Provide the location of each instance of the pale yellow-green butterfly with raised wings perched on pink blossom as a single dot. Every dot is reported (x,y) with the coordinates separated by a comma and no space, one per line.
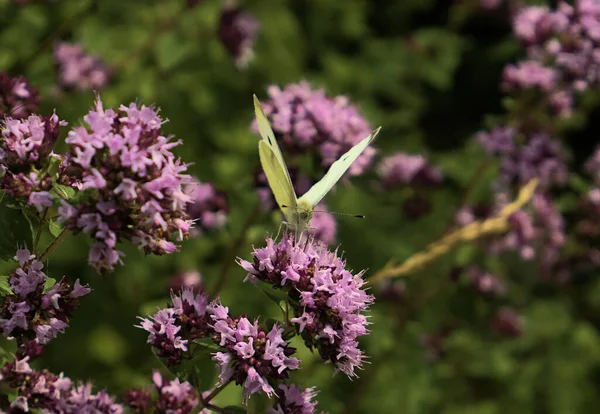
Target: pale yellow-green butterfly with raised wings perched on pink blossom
(298,211)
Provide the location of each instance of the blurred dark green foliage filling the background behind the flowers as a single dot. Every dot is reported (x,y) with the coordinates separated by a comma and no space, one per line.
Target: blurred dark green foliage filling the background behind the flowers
(428,72)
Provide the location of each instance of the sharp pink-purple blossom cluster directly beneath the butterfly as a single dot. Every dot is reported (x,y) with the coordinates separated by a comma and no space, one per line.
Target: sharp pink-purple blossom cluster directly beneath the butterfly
(327,300)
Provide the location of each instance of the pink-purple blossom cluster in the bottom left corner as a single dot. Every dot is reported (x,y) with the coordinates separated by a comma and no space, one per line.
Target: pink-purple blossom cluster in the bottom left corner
(52,393)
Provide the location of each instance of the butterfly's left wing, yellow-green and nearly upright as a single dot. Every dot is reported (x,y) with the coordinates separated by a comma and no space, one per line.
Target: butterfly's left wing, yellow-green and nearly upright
(273,164)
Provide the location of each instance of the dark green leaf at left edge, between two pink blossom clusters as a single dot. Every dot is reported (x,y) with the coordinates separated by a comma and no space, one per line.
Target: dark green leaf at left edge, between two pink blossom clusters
(15,231)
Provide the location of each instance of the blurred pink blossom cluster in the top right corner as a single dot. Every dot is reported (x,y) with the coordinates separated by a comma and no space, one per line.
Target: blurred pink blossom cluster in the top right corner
(563,49)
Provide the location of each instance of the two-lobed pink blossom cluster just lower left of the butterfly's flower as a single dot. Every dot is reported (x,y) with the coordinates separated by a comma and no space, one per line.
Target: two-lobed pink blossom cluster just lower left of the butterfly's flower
(249,355)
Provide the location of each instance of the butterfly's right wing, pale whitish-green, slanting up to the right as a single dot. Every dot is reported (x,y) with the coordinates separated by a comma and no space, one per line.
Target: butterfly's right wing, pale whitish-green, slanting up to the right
(316,193)
